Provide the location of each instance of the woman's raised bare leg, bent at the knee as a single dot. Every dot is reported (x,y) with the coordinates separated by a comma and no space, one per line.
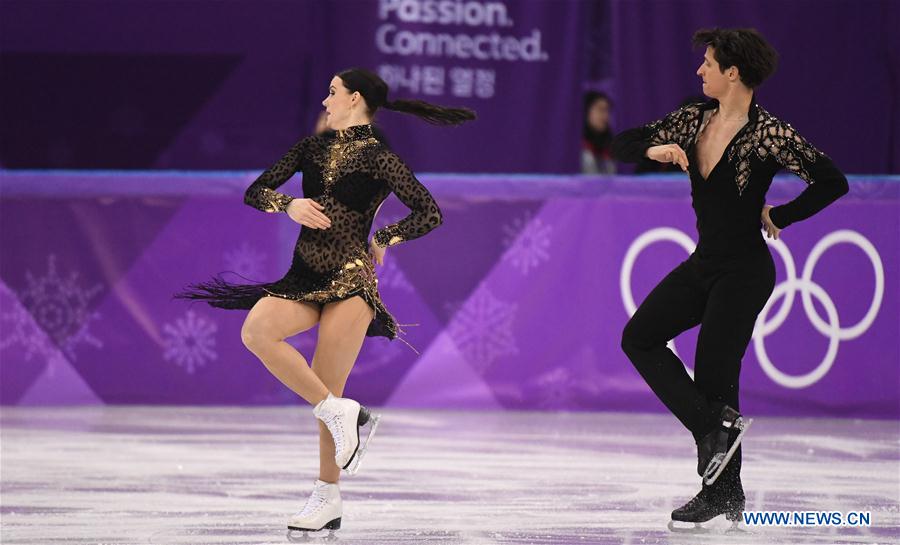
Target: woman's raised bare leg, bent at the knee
(269,323)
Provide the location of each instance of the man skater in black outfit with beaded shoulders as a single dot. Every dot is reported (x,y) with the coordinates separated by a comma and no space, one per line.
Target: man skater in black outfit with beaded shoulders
(731,148)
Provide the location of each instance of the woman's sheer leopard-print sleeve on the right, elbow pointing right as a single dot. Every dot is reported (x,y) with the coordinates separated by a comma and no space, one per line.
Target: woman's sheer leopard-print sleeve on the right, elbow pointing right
(425,214)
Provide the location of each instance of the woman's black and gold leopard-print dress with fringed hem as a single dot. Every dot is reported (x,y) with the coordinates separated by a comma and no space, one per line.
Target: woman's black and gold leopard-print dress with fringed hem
(350,174)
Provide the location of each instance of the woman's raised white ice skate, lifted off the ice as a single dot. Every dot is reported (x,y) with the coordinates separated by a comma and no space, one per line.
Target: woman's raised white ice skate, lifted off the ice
(344,417)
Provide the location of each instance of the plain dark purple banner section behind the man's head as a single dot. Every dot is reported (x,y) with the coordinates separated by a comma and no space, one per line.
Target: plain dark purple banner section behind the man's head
(655,67)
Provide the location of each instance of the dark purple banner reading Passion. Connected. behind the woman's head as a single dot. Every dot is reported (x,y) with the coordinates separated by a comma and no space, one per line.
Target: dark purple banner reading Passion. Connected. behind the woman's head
(212,85)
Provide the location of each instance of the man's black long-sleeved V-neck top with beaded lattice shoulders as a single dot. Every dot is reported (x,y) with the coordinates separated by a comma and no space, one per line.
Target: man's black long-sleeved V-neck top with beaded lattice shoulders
(728,202)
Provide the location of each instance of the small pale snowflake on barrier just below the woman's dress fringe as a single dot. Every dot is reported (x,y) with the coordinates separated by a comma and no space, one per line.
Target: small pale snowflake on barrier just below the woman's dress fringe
(190,342)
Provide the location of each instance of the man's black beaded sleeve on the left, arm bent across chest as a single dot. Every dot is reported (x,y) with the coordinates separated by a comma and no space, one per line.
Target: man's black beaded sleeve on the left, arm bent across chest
(676,128)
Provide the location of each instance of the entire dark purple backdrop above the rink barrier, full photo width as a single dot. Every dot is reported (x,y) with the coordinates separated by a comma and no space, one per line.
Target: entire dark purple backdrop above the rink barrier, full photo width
(205,84)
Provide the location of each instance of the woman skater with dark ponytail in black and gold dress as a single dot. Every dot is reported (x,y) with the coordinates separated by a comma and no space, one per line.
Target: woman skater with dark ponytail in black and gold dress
(331,281)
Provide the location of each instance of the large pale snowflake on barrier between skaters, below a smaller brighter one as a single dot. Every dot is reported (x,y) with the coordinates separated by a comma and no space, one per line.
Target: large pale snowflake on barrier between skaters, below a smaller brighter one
(482,329)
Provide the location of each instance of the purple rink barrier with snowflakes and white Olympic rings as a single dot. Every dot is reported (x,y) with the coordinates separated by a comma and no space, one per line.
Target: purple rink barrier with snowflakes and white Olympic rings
(520,297)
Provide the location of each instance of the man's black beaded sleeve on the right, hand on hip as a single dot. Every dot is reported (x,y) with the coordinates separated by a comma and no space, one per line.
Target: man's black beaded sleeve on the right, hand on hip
(825,182)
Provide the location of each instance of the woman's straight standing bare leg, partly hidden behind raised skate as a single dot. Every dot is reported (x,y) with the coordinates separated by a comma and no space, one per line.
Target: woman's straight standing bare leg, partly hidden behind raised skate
(342,329)
